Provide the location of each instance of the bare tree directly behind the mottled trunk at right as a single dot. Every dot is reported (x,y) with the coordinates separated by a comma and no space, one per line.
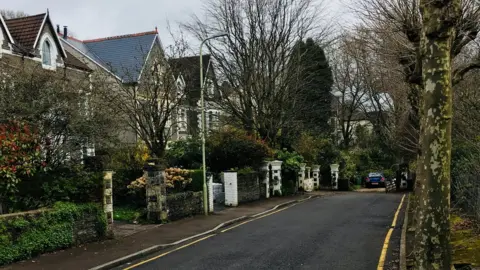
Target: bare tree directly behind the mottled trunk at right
(397,26)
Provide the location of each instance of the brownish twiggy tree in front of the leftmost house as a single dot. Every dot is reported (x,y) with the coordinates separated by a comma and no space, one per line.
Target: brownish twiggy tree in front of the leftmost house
(59,104)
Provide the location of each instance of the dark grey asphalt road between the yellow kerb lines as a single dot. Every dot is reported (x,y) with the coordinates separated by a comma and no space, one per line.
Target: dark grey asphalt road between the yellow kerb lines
(338,232)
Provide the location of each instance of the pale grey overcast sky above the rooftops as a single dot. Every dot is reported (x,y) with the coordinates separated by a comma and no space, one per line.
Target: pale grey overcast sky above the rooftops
(100,18)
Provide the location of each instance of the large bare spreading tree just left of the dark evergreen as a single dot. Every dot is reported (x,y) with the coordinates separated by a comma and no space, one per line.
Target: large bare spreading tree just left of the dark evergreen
(255,59)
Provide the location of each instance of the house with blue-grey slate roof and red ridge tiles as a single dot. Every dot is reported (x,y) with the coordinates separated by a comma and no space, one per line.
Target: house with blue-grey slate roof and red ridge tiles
(129,60)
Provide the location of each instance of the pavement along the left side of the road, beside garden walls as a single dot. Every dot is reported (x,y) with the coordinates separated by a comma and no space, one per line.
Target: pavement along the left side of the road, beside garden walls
(94,254)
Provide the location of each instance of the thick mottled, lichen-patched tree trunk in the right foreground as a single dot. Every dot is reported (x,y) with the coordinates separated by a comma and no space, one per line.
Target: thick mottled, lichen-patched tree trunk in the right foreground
(432,237)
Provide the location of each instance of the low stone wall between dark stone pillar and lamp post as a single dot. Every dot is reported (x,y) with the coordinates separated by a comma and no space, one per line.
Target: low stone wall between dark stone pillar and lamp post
(185,204)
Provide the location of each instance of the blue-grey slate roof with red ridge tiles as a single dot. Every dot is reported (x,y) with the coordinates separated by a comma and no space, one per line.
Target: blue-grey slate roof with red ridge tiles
(124,56)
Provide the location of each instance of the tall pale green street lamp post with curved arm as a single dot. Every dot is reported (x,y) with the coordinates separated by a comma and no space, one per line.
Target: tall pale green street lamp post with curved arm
(204,129)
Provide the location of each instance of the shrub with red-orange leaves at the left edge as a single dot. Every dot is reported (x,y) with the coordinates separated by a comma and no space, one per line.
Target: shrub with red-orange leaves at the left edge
(19,154)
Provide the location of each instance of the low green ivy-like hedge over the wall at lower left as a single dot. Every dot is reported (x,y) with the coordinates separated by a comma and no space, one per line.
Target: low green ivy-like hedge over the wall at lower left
(29,234)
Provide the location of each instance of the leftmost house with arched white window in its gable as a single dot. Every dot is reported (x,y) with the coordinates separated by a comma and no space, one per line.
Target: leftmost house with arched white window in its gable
(30,43)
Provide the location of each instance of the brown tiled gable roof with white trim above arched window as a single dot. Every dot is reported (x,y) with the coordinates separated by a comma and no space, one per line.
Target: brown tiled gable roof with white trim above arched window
(26,31)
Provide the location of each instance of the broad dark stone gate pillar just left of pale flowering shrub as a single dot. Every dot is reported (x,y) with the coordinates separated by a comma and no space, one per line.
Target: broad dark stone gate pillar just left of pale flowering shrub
(156,193)
